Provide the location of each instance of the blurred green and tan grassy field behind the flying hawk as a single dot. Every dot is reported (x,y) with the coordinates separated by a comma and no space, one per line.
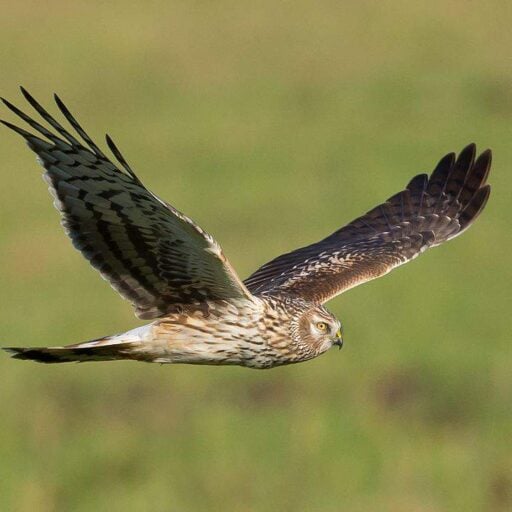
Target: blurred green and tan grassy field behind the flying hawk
(271,124)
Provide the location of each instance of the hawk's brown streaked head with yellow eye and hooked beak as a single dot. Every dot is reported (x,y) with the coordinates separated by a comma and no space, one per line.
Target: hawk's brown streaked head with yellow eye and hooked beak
(320,329)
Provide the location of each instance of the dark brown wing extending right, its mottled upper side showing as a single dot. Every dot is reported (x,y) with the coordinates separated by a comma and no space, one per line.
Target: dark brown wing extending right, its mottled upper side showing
(430,211)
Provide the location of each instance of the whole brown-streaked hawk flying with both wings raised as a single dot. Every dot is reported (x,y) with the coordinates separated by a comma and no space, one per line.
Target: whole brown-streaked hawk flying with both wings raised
(176,275)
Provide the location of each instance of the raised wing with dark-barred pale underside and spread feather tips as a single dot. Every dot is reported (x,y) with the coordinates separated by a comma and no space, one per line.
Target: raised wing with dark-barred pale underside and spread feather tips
(152,254)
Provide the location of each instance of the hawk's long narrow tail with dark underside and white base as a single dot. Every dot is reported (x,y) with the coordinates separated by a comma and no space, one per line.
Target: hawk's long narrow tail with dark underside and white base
(122,346)
